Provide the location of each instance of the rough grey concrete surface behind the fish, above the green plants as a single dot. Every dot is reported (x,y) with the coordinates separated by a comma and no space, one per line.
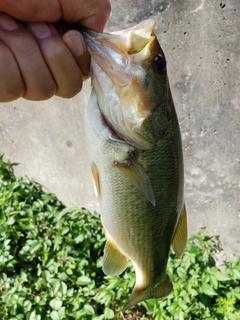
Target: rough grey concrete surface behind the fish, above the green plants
(201,40)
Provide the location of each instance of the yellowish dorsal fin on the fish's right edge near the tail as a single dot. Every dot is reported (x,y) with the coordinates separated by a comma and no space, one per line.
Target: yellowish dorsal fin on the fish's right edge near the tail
(180,235)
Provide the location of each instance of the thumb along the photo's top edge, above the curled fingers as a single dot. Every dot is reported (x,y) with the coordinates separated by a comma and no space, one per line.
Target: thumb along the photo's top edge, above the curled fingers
(91,13)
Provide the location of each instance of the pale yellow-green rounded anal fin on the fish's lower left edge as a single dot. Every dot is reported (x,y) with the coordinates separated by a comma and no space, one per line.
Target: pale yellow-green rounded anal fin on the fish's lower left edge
(114,262)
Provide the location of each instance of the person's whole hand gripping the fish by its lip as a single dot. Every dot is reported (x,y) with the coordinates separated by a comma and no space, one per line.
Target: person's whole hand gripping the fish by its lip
(40,58)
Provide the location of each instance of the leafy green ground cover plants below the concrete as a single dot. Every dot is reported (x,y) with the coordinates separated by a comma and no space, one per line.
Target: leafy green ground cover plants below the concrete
(50,266)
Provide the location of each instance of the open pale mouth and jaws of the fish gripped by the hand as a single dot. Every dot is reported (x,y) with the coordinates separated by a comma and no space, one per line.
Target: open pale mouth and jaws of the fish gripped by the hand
(114,52)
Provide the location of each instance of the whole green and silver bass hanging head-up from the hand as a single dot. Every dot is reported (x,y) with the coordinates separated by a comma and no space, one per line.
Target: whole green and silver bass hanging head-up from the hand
(136,157)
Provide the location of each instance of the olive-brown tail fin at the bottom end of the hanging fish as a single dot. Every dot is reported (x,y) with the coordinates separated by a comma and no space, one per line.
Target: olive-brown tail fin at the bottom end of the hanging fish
(139,294)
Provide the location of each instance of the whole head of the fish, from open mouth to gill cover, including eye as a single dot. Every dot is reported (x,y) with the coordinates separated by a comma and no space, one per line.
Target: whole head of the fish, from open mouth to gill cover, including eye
(130,80)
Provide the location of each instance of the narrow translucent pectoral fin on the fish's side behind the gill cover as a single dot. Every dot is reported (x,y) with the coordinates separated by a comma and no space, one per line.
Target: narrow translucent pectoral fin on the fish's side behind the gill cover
(136,172)
